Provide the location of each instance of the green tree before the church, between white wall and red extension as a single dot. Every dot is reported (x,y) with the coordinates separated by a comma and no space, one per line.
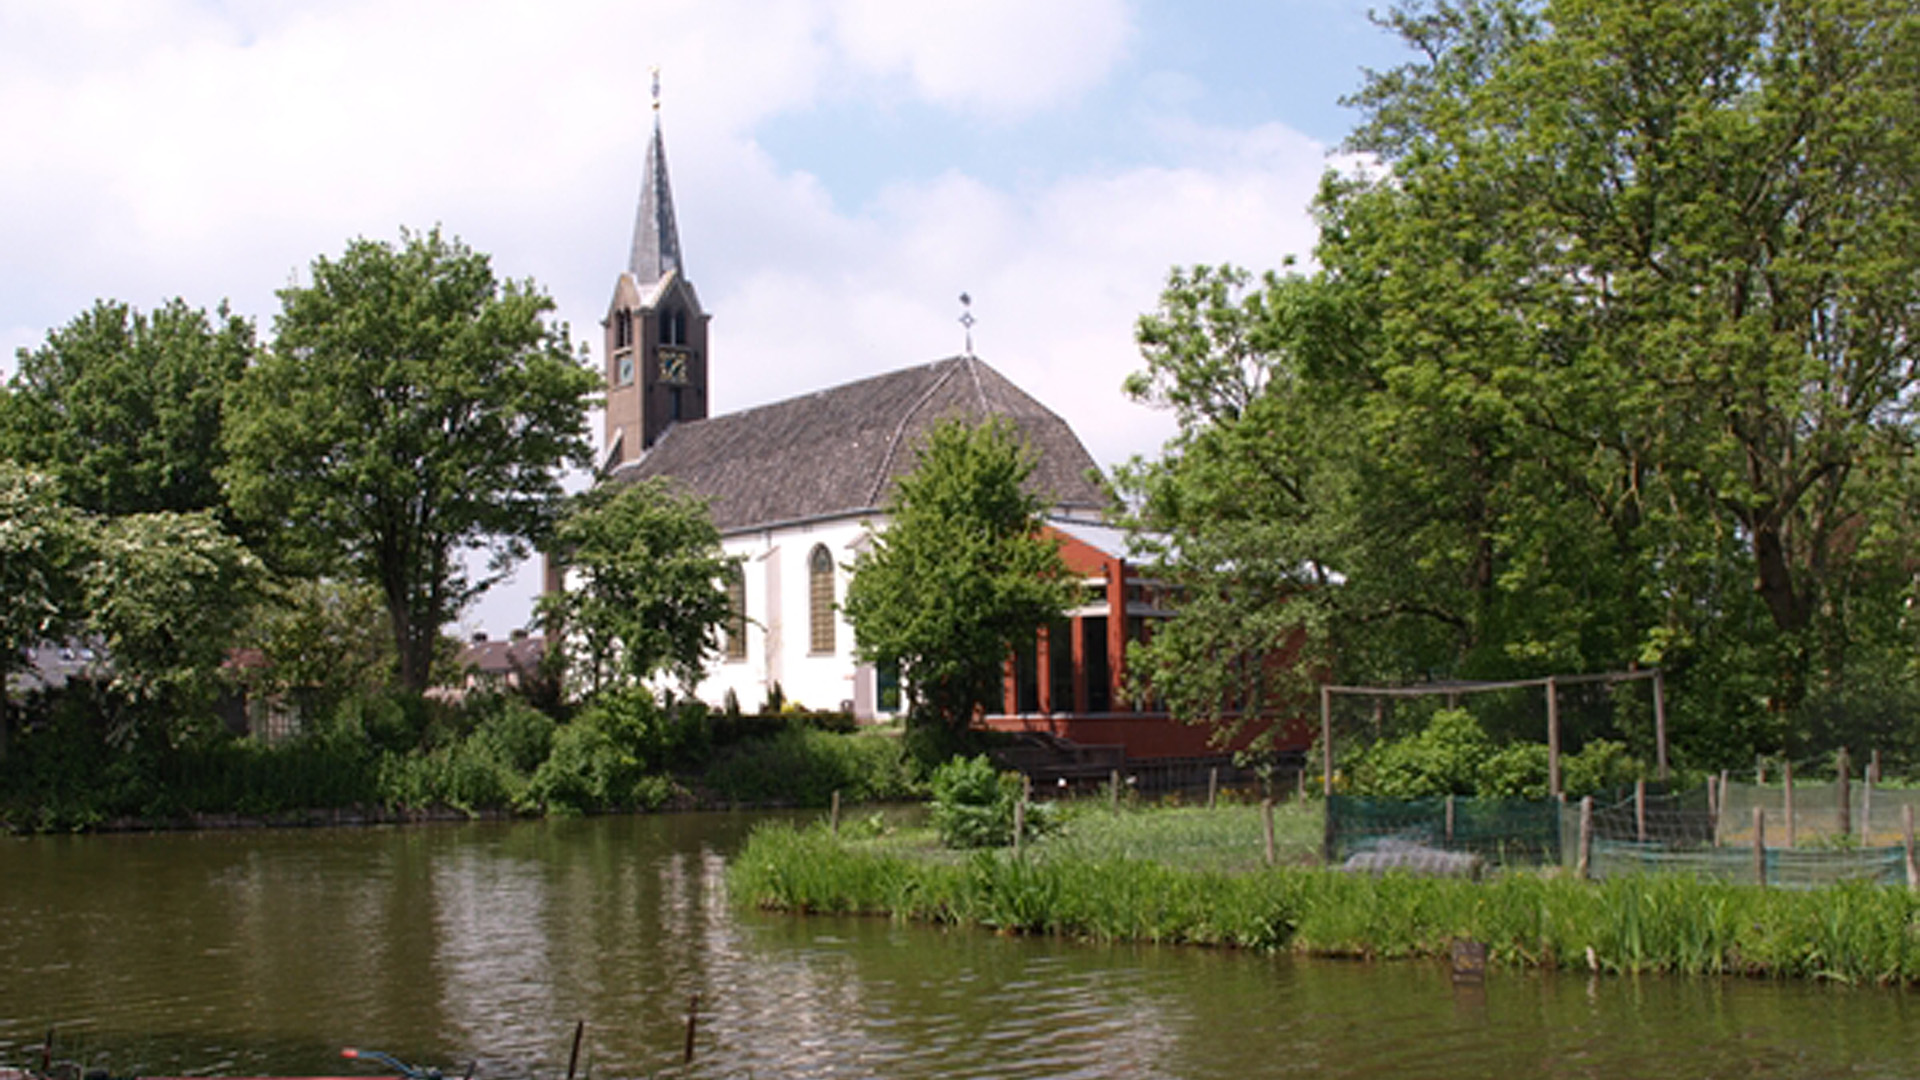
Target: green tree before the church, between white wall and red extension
(961,574)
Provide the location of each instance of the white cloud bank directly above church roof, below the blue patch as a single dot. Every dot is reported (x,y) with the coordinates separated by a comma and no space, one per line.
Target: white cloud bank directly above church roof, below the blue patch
(1057,278)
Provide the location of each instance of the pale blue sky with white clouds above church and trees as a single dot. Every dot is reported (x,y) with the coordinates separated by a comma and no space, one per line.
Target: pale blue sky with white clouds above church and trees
(844,170)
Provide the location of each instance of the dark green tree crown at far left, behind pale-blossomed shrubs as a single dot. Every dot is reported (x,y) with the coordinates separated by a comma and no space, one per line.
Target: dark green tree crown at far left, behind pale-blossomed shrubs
(126,408)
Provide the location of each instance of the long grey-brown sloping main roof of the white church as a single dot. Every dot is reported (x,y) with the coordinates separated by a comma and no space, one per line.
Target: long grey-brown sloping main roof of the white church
(838,453)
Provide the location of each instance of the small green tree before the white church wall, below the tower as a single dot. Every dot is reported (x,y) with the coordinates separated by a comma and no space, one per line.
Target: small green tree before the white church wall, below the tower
(646,587)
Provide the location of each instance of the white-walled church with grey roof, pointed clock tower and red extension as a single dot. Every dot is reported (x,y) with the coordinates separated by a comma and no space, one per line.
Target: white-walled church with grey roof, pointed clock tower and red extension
(798,489)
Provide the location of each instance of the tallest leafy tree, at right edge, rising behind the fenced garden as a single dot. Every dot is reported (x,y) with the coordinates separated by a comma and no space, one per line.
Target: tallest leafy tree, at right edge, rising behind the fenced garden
(1669,249)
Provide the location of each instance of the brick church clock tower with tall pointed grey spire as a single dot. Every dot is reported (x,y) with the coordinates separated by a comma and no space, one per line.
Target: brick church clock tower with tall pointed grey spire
(656,328)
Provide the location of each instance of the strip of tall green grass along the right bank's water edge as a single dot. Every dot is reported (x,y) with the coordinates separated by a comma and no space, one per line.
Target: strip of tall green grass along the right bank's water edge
(1856,933)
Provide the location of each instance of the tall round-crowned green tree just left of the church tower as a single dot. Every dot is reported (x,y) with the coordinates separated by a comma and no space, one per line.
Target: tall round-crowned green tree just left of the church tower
(412,408)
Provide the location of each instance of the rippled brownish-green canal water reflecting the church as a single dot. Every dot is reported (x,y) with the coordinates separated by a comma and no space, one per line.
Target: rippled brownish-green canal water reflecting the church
(268,952)
